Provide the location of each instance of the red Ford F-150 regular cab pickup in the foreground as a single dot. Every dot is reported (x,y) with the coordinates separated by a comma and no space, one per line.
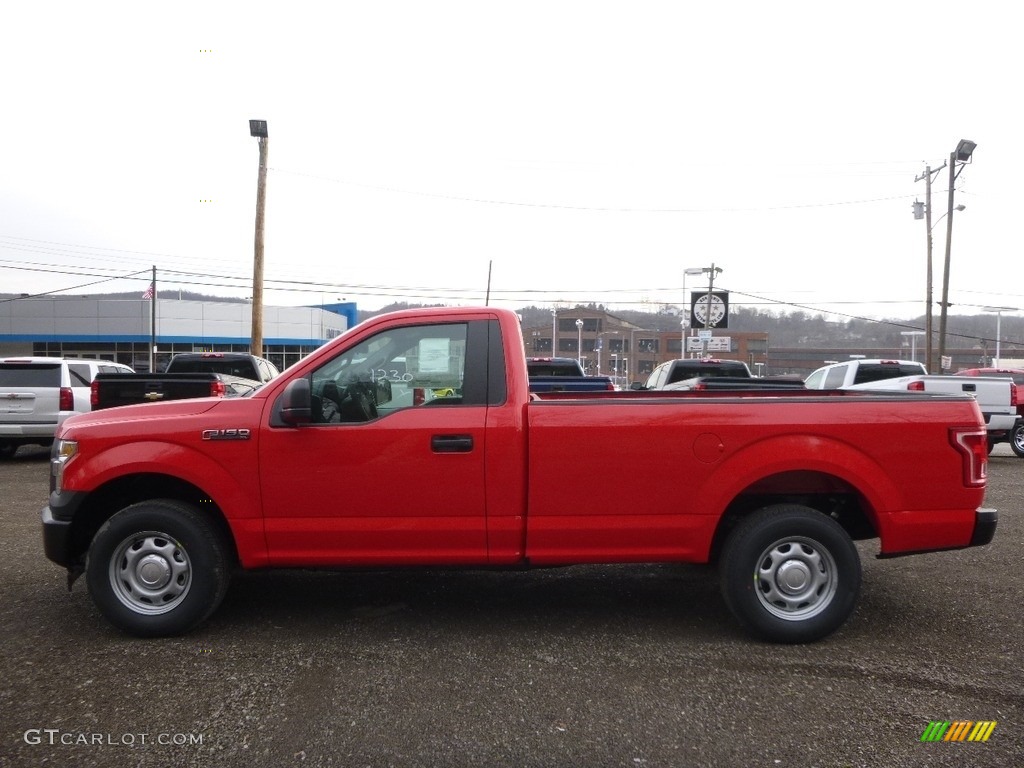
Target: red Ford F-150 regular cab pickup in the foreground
(413,440)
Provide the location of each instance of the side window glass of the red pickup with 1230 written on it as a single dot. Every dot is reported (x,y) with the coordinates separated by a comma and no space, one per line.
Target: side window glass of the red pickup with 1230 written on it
(398,369)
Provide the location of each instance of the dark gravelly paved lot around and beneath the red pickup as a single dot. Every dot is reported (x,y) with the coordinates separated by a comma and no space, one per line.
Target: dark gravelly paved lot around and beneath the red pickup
(582,667)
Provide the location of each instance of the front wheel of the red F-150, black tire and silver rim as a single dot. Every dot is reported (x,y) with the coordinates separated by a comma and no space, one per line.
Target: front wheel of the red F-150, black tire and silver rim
(158,569)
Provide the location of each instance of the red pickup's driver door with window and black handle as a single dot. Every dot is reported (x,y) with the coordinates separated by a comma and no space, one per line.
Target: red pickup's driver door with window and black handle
(392,468)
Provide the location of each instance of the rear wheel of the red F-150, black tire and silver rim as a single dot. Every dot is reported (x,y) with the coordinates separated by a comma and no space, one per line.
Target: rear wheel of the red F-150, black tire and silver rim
(790,574)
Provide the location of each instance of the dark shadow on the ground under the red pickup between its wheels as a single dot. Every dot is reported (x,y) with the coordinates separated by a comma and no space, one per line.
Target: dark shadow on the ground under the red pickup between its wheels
(655,600)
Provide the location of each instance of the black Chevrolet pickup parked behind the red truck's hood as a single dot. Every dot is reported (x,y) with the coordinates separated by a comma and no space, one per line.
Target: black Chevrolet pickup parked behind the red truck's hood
(188,375)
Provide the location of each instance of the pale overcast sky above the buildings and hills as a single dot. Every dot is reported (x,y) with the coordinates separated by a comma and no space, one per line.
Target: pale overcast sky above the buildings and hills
(574,151)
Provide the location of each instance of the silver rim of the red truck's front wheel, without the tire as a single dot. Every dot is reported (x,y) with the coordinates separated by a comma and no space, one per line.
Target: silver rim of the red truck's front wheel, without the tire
(151,573)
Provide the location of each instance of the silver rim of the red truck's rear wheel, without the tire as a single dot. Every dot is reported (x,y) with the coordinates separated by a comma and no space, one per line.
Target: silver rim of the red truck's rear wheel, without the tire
(796,579)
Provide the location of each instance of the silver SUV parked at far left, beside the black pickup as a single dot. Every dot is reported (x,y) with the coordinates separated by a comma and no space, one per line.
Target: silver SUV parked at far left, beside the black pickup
(38,394)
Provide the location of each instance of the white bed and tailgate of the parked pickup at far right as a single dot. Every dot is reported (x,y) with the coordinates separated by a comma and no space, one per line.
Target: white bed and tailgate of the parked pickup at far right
(997,398)
